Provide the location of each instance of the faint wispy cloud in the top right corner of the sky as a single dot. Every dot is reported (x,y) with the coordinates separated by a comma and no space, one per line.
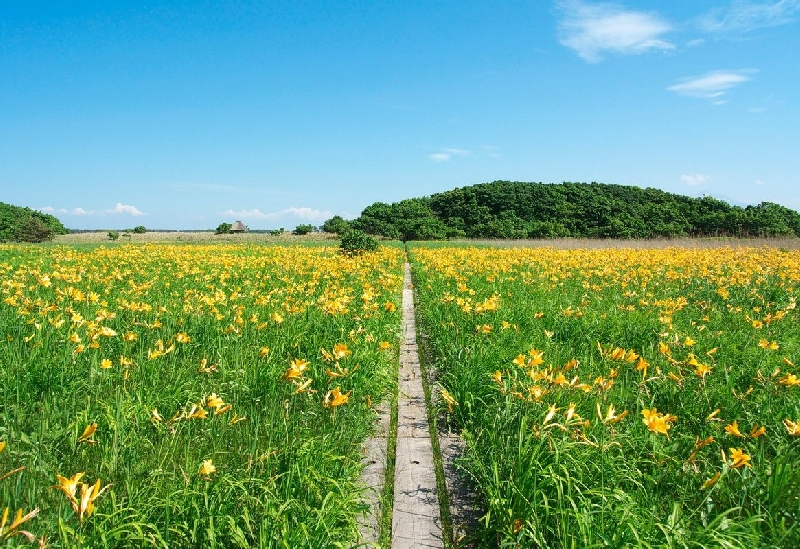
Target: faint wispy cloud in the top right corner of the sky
(745,16)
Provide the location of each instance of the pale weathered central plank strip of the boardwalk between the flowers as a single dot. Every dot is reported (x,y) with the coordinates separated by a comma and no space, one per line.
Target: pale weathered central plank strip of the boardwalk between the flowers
(415,519)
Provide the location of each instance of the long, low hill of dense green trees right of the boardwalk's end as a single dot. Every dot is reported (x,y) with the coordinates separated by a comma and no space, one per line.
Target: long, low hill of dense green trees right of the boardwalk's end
(510,209)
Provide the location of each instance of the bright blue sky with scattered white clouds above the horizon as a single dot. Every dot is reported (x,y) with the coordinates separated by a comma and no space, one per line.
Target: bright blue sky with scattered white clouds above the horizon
(182,115)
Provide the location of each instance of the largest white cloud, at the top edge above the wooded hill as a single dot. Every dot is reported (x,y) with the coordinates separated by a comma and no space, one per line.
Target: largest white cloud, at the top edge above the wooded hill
(594,29)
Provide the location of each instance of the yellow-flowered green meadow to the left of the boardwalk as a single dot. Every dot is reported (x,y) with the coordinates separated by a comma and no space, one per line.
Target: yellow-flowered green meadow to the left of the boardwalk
(190,396)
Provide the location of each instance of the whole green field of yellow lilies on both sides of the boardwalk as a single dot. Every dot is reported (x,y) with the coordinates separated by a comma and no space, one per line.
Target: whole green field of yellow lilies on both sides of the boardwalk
(617,394)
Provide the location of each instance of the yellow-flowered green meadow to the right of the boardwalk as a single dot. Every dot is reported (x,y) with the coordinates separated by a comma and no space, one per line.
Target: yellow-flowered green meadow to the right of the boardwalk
(620,397)
